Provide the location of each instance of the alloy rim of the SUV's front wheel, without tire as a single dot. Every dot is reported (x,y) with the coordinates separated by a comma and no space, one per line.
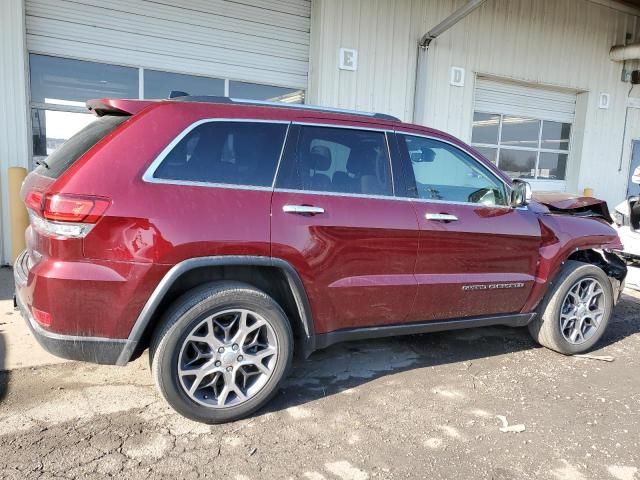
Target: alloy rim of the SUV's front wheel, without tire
(582,311)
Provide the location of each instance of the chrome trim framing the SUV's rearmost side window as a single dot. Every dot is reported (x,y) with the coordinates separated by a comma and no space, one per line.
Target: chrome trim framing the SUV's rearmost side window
(148,177)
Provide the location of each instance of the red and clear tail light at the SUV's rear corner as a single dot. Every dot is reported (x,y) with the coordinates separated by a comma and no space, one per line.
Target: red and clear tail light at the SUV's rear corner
(63,215)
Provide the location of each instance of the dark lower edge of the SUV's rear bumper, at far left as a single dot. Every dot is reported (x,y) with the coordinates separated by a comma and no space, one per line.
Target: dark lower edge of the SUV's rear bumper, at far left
(73,347)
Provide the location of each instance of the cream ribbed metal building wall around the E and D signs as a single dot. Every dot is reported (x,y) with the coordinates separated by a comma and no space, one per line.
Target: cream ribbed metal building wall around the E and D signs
(563,44)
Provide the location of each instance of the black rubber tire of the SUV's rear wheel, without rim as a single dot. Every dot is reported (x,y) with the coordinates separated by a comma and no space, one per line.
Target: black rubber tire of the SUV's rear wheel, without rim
(183,316)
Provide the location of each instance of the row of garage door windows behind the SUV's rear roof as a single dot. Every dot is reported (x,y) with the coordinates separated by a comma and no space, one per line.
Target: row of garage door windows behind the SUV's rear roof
(61,86)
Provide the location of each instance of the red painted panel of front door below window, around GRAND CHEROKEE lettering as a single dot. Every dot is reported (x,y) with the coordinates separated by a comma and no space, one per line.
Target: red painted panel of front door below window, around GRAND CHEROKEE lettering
(485,246)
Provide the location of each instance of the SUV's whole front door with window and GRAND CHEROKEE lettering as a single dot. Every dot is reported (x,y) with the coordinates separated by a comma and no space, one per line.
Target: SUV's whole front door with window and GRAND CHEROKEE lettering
(477,256)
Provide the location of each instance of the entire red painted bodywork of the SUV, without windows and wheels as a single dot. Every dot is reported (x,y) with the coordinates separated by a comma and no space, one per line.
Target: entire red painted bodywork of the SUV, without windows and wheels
(365,262)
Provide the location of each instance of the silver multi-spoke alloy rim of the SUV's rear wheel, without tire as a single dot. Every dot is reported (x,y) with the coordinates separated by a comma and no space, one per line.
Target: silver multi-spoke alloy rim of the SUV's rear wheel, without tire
(227,358)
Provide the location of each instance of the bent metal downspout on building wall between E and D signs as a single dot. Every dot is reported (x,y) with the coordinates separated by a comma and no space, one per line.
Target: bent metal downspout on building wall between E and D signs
(423,49)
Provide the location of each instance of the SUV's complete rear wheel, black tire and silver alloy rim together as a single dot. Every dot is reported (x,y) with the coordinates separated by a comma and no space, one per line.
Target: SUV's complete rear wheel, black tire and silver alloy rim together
(221,352)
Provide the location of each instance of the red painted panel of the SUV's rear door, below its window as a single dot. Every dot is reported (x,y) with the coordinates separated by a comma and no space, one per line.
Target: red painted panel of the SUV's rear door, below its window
(356,260)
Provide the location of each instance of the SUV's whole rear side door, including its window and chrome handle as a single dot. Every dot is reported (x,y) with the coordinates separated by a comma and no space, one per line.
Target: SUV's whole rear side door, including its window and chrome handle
(336,220)
